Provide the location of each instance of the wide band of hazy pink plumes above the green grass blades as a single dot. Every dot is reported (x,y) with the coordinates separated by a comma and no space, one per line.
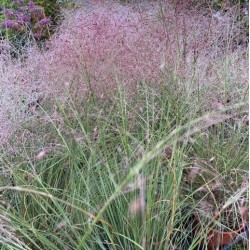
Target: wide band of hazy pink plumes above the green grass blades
(107,43)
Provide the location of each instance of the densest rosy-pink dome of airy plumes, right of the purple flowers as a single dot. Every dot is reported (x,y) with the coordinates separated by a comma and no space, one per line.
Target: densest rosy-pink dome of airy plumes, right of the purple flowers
(102,43)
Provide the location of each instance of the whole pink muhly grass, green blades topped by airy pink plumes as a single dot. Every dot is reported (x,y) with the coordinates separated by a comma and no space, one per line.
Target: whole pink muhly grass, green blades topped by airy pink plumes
(157,159)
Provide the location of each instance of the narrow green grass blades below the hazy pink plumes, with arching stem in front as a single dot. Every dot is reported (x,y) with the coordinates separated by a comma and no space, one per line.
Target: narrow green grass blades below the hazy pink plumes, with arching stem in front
(122,177)
